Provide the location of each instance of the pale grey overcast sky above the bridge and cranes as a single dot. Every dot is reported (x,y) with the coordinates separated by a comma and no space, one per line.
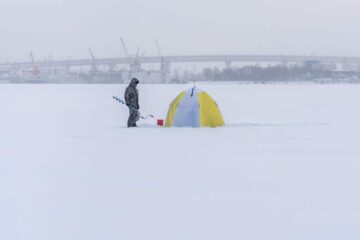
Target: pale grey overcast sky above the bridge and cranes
(66,28)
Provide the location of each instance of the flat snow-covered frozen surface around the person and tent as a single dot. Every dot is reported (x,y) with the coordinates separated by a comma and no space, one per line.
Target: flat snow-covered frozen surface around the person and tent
(287,166)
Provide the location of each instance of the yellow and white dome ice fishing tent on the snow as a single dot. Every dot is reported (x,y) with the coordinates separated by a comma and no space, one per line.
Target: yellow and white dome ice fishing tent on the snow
(194,108)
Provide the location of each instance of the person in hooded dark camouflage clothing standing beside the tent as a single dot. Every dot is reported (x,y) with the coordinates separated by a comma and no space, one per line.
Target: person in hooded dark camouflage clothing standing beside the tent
(132,101)
